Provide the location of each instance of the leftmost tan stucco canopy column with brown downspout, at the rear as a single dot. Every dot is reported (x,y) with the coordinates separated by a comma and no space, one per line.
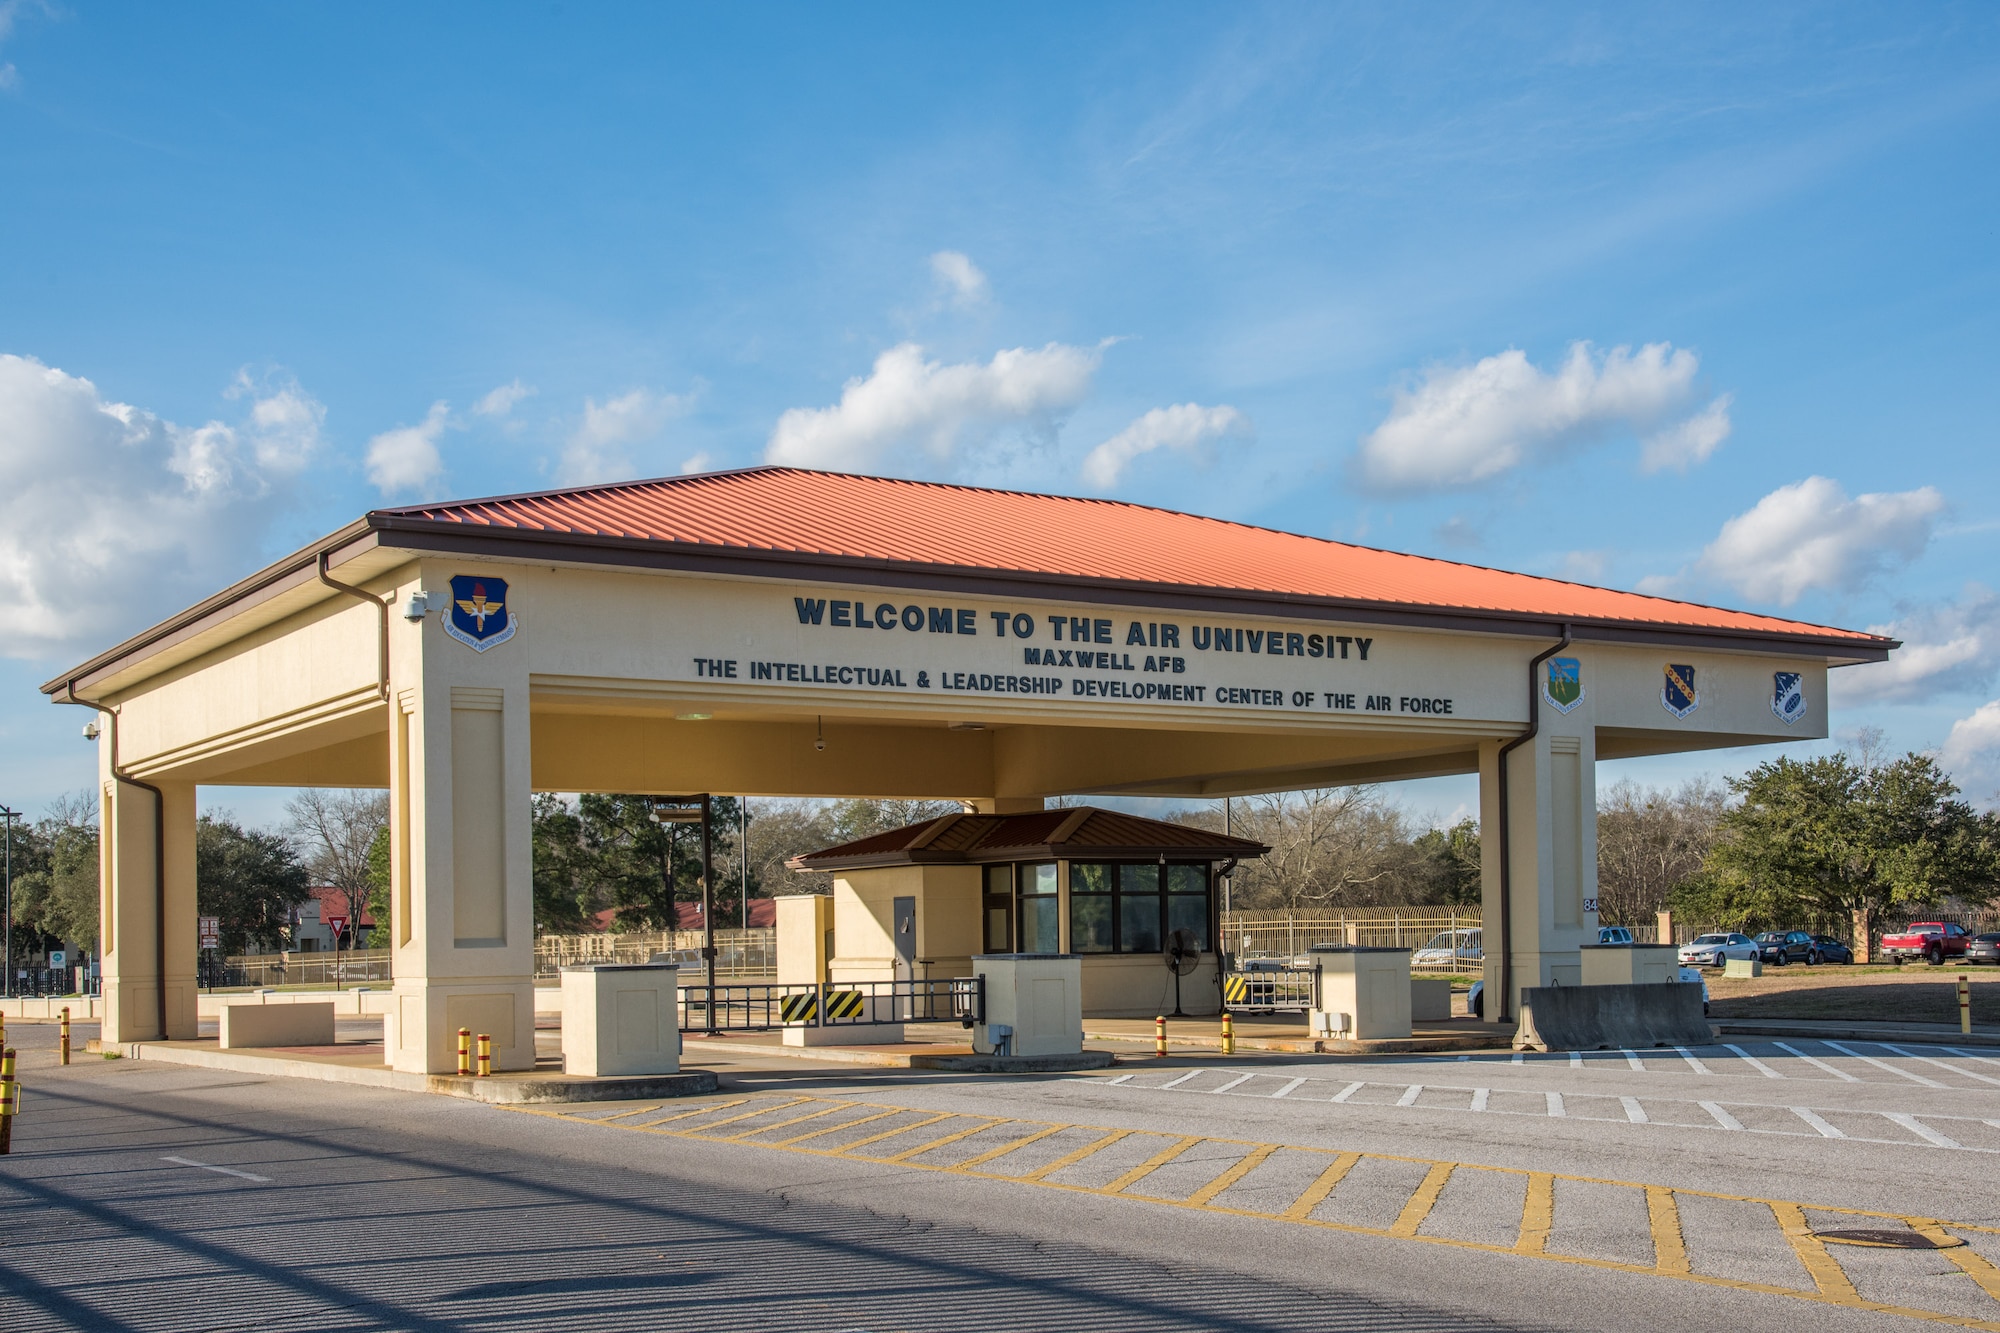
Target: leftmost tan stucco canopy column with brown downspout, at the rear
(131,924)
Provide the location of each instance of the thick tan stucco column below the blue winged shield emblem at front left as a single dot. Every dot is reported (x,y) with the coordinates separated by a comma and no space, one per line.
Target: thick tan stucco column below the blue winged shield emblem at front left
(463,898)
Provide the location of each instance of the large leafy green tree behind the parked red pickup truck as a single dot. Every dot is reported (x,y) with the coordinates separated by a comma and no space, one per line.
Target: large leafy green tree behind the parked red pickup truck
(1841,836)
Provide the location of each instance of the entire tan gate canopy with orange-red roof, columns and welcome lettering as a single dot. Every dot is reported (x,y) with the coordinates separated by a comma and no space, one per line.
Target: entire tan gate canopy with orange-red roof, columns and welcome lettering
(777,631)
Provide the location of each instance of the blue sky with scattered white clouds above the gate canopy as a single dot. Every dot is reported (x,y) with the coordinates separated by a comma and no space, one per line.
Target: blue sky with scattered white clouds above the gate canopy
(1695,301)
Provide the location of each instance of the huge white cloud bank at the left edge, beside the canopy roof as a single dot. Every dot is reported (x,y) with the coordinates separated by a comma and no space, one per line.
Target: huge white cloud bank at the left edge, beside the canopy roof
(113,517)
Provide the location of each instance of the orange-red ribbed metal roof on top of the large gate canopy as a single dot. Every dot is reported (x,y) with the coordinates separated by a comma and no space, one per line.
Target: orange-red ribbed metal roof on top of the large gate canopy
(973,529)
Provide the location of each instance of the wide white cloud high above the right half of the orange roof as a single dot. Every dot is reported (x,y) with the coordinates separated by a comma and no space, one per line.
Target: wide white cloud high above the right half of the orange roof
(1465,425)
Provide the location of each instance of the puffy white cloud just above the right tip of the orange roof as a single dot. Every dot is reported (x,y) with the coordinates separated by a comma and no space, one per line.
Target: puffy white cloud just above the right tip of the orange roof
(1811,535)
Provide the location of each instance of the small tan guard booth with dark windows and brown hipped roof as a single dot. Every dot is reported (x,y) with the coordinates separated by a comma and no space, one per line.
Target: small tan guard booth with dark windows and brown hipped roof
(1129,896)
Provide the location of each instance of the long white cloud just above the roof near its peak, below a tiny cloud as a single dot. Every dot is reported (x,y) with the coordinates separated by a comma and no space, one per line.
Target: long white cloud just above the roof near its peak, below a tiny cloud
(925,403)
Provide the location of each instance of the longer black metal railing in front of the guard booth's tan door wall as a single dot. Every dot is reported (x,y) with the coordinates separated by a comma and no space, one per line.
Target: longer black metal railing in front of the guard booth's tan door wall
(757,1008)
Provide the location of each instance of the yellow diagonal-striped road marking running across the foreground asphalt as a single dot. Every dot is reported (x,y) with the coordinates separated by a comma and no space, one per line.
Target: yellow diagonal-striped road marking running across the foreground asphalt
(1235,1162)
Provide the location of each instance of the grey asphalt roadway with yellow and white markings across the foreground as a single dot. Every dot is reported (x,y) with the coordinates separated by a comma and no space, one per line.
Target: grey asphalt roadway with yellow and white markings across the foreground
(1653,1192)
